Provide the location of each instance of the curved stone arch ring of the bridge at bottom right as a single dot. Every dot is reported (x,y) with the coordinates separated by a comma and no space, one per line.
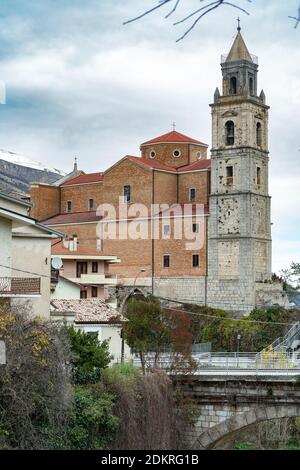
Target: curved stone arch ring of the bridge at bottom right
(210,438)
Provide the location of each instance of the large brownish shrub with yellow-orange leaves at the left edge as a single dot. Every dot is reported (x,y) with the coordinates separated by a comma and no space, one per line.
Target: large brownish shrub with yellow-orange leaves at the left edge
(35,390)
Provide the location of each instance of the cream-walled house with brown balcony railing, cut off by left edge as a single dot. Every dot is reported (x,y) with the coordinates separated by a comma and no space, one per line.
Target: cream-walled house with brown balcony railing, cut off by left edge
(25,257)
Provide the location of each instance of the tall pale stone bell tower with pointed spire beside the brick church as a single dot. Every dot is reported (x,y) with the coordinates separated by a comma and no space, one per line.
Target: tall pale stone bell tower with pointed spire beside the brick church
(239,241)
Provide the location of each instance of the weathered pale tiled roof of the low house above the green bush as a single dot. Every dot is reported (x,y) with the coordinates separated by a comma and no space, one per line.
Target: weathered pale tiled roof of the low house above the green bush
(88,310)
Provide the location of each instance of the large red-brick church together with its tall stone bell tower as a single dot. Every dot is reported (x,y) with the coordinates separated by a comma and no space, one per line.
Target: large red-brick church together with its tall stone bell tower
(224,199)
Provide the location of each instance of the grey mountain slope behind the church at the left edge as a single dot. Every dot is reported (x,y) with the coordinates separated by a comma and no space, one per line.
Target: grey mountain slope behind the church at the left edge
(16,178)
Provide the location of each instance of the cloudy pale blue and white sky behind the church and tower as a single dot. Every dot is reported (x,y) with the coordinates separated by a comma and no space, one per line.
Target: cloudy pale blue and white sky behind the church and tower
(80,83)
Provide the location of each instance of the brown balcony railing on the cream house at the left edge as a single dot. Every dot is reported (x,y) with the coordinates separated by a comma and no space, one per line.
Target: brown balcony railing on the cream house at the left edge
(19,286)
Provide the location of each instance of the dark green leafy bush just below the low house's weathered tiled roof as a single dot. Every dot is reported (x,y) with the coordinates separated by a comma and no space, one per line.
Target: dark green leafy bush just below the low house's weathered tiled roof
(89,356)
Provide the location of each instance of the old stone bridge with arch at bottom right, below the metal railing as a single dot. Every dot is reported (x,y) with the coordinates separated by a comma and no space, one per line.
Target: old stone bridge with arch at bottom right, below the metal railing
(228,404)
